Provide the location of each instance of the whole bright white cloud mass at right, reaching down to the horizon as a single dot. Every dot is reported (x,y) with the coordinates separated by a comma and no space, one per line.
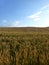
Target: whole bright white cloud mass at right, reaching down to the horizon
(41,16)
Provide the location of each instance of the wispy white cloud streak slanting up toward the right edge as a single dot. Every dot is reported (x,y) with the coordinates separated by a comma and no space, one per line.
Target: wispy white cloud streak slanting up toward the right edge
(36,16)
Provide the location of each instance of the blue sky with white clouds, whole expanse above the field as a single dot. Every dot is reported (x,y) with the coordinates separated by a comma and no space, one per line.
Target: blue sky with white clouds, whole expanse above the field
(23,13)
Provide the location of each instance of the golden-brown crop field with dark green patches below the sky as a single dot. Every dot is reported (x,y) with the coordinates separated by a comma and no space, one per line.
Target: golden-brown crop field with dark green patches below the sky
(24,46)
